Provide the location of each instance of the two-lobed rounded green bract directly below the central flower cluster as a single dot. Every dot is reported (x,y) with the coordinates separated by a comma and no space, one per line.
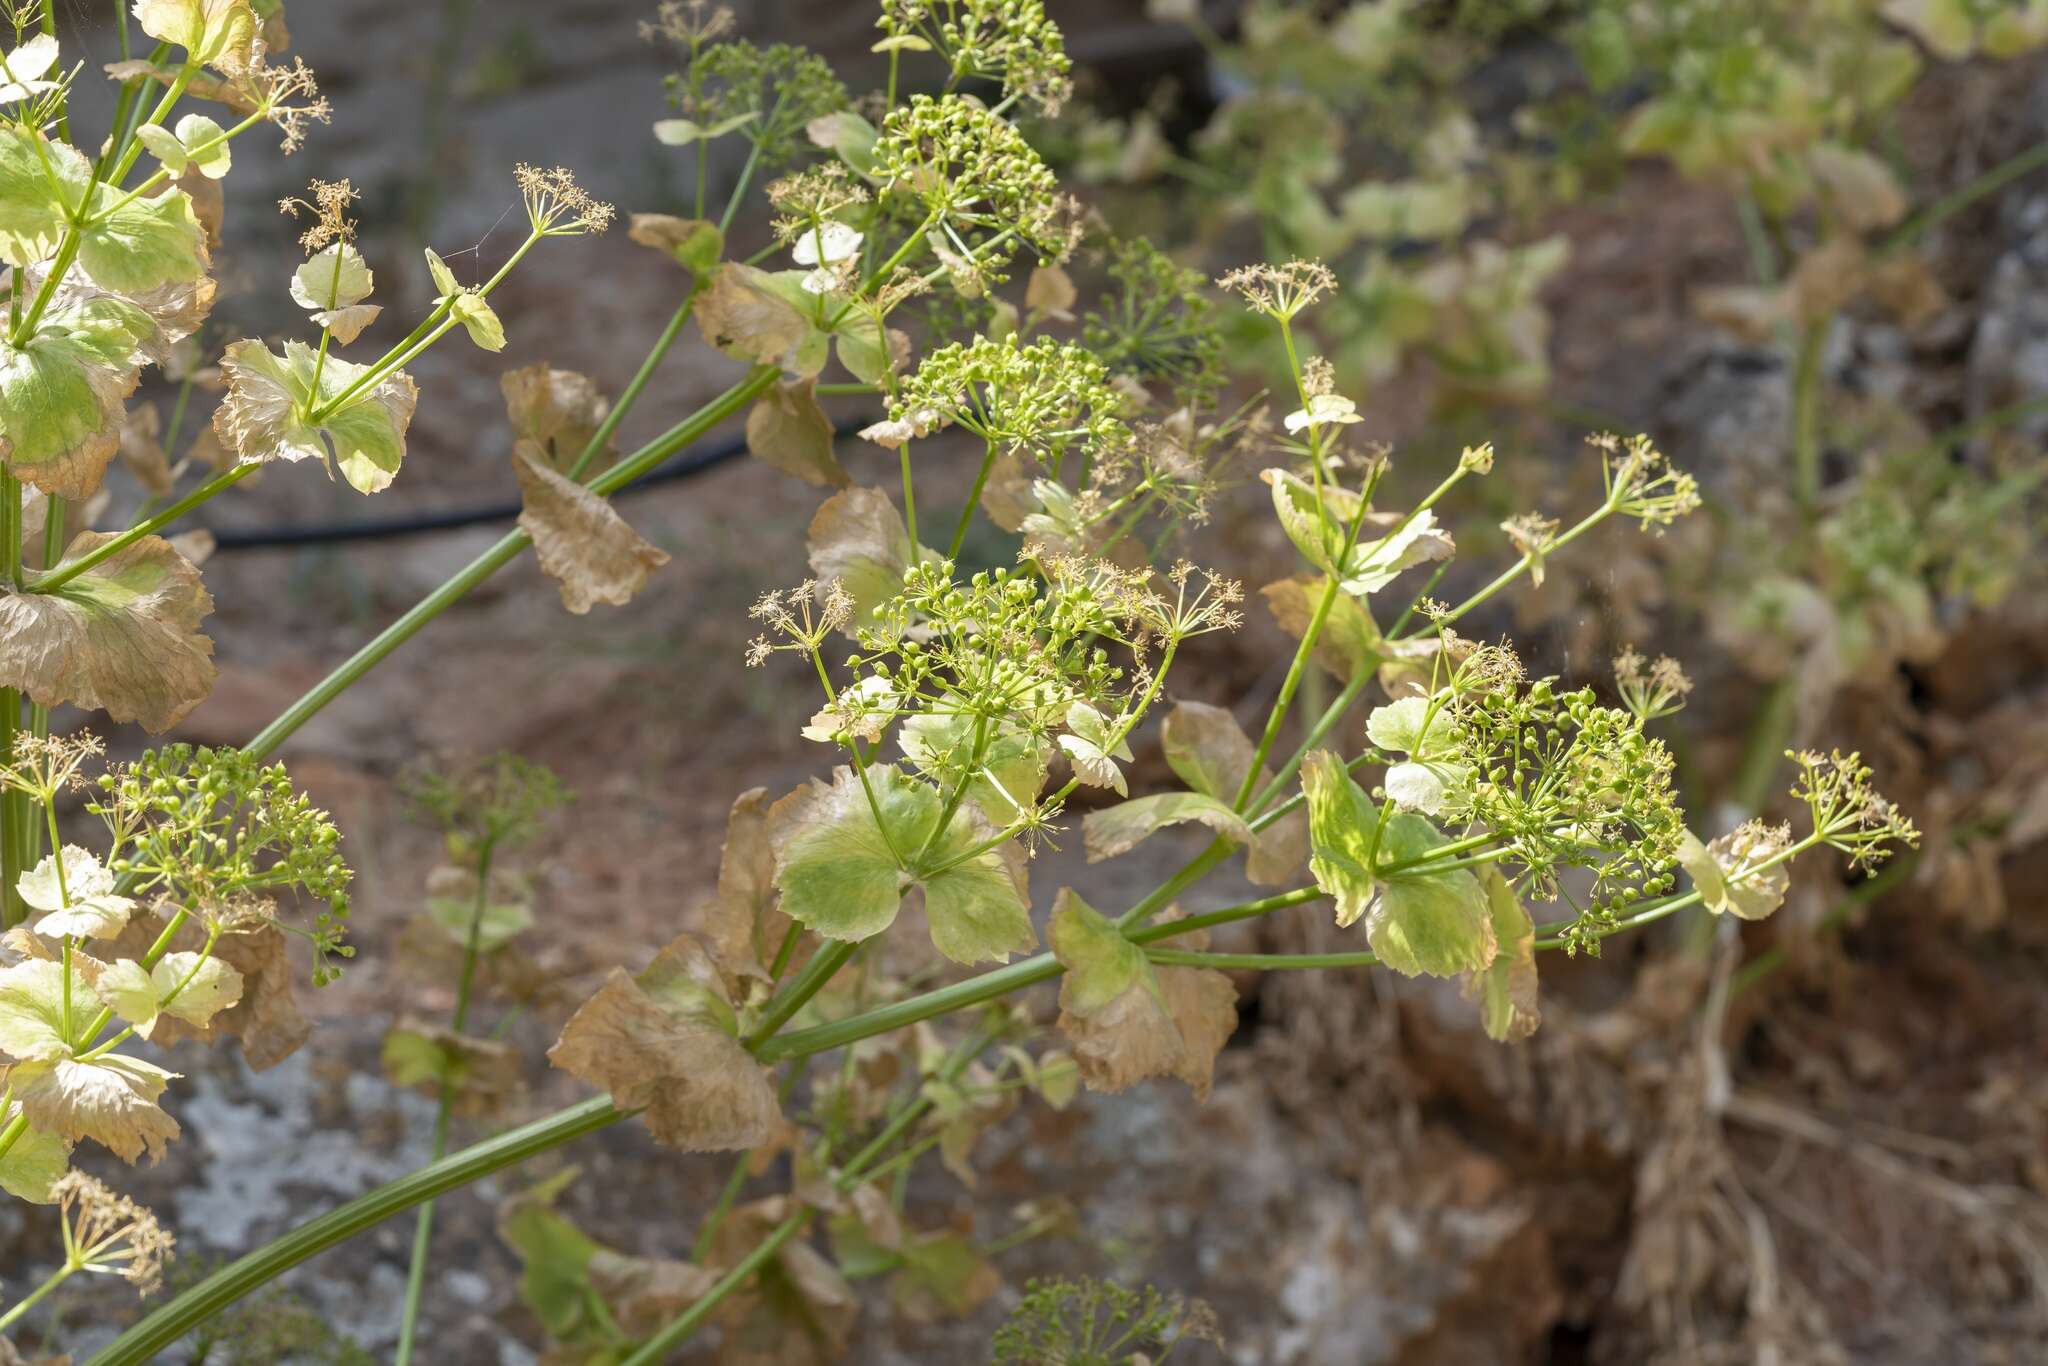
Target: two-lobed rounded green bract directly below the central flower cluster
(841,878)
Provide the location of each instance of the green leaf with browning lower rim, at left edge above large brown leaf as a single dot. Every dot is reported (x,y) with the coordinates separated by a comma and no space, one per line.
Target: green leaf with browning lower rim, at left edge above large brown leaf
(62,392)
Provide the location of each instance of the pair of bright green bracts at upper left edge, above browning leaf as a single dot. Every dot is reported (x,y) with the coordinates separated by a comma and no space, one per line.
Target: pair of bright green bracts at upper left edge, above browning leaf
(126,245)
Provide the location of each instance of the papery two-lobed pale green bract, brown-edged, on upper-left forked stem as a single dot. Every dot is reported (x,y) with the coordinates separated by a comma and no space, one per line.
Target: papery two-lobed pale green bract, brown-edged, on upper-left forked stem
(267,413)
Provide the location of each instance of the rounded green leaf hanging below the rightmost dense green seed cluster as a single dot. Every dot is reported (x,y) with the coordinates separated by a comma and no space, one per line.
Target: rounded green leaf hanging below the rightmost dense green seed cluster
(1435,923)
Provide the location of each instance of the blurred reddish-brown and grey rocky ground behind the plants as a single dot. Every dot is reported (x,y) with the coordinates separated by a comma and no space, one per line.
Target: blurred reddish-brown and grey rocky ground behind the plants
(1840,1162)
